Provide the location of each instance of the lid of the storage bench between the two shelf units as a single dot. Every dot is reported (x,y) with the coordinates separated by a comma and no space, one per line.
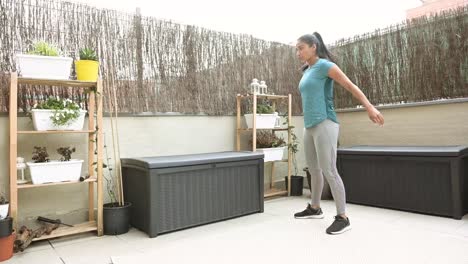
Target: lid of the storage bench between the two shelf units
(191,159)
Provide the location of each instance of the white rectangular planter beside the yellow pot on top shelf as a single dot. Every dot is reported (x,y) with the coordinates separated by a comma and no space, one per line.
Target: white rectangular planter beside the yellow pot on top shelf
(44,67)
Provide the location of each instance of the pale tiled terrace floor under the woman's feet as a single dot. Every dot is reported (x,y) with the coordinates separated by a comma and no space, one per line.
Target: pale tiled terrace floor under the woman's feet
(378,236)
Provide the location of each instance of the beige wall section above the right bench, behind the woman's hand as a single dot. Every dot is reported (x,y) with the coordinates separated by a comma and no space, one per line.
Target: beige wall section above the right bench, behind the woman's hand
(424,124)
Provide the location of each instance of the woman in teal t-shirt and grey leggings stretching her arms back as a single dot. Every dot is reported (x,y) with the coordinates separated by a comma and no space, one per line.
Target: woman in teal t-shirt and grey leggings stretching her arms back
(321,126)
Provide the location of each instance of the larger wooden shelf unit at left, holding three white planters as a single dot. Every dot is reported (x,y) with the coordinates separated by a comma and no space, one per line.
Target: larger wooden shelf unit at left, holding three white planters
(95,181)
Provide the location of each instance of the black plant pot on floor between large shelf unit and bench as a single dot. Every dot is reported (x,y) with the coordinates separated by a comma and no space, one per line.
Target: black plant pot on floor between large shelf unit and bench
(116,218)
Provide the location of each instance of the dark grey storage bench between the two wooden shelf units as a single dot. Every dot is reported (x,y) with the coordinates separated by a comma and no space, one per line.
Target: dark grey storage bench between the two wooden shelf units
(174,192)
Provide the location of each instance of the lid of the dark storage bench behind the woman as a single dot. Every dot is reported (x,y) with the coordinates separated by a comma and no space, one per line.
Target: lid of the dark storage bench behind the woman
(428,151)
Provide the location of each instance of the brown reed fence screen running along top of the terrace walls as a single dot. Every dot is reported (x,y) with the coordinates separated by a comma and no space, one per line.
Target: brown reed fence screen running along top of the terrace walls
(159,66)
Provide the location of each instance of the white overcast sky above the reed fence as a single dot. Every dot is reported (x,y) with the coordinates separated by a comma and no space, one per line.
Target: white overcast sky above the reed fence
(282,21)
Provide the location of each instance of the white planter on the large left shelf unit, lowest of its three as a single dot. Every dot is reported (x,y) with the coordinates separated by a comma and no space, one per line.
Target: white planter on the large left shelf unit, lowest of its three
(55,171)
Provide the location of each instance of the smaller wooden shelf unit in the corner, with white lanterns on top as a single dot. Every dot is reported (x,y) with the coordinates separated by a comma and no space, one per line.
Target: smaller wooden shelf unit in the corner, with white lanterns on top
(272,191)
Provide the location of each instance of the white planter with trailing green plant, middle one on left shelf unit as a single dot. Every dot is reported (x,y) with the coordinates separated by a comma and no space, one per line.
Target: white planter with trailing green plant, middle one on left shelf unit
(42,120)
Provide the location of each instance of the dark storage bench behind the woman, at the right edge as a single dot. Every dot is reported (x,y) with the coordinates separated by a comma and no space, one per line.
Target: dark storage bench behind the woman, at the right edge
(430,180)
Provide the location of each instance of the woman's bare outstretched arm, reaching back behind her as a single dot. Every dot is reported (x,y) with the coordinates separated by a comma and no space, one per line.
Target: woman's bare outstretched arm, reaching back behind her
(336,74)
